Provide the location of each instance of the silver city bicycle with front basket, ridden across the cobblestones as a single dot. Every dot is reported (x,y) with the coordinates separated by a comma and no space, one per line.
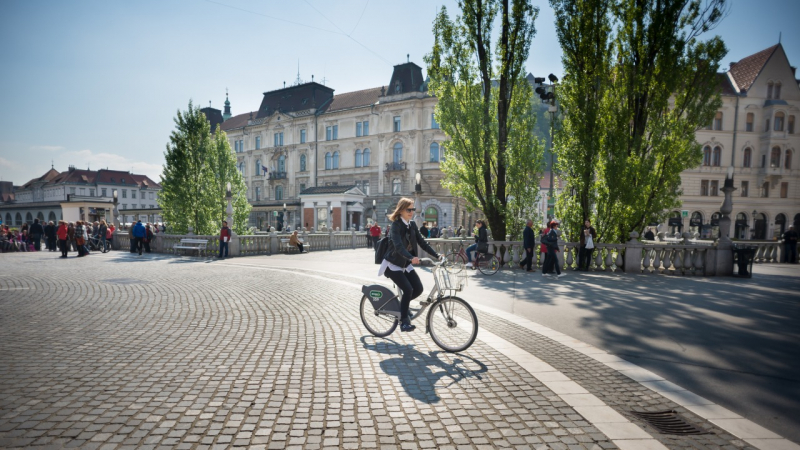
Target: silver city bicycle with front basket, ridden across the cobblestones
(451,321)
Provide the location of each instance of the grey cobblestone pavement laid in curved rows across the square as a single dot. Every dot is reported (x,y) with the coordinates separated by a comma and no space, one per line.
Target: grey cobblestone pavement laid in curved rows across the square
(113,351)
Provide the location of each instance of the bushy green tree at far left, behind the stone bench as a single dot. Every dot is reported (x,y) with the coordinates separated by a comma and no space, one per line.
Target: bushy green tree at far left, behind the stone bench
(198,167)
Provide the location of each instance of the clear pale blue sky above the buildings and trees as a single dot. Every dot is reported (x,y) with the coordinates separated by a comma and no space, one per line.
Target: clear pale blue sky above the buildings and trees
(97,83)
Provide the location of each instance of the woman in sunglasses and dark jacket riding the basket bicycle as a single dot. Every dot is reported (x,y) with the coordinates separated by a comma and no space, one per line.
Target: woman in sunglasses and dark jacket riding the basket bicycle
(401,255)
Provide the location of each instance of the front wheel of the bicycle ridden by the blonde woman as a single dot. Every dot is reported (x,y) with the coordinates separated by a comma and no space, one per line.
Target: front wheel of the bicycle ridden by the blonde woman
(453,324)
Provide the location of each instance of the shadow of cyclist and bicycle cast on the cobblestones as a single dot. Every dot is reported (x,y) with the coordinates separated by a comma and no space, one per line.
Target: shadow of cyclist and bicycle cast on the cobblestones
(419,373)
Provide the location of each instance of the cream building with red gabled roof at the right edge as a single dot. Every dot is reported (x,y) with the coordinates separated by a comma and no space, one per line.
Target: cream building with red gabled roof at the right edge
(755,131)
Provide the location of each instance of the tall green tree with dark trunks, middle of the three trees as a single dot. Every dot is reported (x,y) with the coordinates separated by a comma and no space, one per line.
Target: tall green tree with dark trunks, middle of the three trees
(493,159)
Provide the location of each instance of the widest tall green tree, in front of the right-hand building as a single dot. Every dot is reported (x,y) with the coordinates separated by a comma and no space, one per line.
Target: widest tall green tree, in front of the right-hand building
(638,84)
